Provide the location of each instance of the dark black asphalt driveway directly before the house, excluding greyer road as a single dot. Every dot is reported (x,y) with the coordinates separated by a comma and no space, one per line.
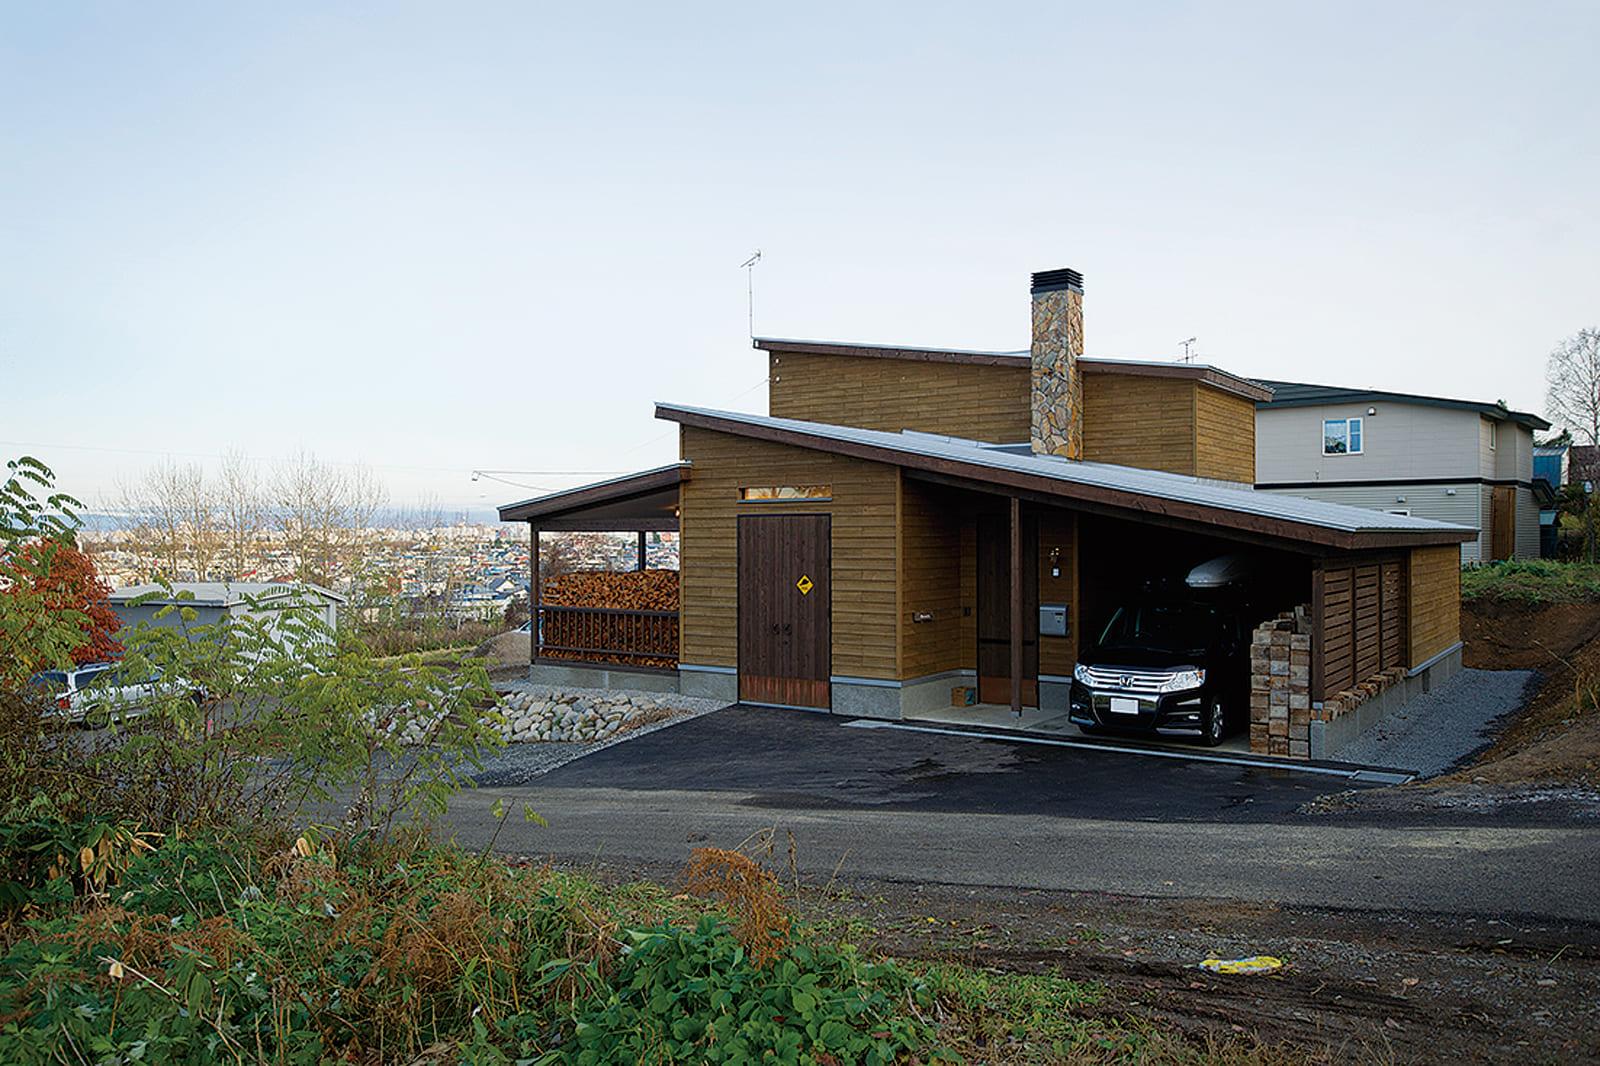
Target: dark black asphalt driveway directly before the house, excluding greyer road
(798,761)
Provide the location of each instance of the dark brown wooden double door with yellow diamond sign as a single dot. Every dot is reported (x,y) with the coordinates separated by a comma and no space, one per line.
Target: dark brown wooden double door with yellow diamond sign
(785,609)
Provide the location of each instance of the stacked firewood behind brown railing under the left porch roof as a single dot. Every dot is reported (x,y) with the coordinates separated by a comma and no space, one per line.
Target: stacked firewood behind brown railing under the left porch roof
(598,638)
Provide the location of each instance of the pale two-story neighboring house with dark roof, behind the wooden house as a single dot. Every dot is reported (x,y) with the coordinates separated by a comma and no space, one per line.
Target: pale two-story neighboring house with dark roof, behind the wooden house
(1428,457)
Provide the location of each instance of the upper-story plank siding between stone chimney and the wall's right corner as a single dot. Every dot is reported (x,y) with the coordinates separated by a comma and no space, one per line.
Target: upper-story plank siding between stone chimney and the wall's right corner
(1140,422)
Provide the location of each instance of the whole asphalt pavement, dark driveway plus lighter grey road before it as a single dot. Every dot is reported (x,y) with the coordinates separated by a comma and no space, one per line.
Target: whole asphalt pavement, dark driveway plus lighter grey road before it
(938,808)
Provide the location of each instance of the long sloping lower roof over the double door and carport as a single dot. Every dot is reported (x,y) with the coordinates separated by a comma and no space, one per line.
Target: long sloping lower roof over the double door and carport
(1130,492)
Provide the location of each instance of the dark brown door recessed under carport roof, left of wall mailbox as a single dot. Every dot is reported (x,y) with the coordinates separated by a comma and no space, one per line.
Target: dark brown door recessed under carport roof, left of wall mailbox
(994,611)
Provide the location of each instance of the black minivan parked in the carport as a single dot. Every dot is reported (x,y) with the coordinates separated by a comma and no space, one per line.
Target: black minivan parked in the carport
(1174,662)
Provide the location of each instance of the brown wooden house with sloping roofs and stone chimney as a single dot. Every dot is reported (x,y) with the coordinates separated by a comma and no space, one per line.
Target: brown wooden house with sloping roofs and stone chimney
(903,519)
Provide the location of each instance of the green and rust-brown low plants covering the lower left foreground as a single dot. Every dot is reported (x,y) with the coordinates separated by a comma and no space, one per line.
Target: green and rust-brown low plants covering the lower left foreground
(377,950)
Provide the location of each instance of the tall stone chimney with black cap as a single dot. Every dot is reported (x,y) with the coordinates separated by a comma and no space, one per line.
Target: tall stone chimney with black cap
(1057,427)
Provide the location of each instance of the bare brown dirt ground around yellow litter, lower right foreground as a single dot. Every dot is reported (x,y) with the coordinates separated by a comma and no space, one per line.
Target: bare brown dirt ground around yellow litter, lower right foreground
(1356,987)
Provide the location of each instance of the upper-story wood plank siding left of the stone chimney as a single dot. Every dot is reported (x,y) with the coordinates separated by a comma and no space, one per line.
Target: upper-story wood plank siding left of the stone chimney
(970,401)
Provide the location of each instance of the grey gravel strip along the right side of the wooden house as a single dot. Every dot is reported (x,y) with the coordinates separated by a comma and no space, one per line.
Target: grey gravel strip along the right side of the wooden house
(1442,731)
